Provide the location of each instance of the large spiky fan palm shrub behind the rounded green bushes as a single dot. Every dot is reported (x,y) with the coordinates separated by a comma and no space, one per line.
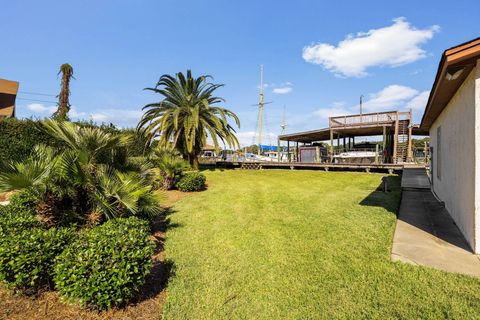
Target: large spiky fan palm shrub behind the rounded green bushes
(84,176)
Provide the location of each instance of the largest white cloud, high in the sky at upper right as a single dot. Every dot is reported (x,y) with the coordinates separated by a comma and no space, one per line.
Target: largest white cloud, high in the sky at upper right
(392,46)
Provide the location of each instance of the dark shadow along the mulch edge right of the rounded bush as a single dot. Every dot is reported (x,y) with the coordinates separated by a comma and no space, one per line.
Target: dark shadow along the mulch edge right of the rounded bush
(162,268)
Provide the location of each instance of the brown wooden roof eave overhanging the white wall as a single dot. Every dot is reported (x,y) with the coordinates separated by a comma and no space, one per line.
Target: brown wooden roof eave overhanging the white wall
(454,67)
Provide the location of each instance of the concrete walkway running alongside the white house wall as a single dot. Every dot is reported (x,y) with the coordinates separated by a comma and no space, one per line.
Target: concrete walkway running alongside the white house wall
(425,232)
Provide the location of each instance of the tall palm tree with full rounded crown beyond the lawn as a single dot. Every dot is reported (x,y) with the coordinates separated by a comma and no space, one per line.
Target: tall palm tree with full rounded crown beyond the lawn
(187,115)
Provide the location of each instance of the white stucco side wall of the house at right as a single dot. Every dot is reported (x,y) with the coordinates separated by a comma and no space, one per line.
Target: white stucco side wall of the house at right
(459,123)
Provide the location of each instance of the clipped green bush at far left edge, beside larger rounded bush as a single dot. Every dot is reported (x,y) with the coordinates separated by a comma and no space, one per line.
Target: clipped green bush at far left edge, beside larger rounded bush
(27,257)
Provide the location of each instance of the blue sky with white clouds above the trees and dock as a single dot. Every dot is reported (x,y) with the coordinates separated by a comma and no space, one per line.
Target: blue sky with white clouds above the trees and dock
(319,56)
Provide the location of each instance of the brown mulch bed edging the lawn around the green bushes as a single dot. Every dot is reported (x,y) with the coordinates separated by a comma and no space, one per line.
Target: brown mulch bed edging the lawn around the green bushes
(148,305)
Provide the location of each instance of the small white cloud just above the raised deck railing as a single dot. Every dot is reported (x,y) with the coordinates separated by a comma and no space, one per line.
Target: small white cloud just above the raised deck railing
(390,98)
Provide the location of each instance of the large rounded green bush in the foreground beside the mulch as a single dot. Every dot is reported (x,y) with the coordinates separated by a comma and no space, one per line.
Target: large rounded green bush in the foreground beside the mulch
(107,265)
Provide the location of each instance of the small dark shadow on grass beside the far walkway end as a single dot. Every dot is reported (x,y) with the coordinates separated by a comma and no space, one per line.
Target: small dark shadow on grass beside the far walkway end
(387,195)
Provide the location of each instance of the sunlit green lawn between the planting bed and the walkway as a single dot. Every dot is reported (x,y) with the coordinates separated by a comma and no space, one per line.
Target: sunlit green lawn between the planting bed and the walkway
(300,245)
